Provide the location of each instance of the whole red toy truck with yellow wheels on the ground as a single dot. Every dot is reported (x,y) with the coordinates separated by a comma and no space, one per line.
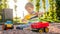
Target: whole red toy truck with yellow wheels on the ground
(40,26)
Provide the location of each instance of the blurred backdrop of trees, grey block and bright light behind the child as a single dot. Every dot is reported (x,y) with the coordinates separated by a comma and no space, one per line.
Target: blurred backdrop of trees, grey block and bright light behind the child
(15,10)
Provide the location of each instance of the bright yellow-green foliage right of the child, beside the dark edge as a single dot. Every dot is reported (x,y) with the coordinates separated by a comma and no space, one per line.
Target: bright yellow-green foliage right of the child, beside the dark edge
(51,15)
